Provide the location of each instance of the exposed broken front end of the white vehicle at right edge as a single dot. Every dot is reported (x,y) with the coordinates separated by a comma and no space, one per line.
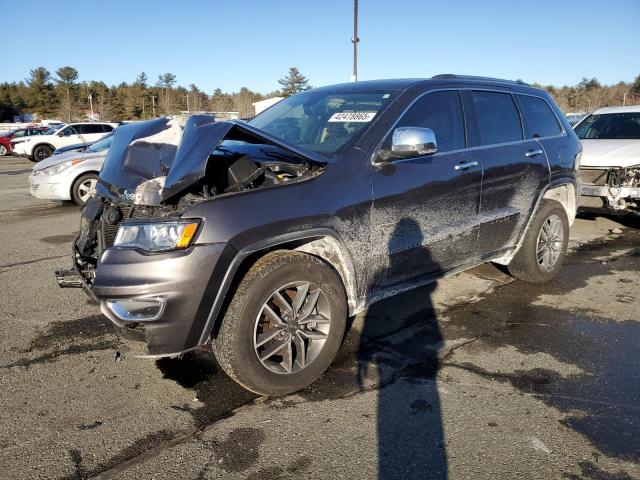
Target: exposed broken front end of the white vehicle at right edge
(616,188)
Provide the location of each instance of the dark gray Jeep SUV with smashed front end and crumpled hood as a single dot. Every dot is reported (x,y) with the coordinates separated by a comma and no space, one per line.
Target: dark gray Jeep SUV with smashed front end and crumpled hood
(263,237)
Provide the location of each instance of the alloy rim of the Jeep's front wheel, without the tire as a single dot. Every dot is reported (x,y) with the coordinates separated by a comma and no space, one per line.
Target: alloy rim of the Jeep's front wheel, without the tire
(292,327)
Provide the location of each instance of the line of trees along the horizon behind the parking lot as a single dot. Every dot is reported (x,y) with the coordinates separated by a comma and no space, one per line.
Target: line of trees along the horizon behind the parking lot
(63,97)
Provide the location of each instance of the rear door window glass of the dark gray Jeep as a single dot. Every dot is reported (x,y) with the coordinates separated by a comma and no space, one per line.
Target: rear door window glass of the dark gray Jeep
(498,117)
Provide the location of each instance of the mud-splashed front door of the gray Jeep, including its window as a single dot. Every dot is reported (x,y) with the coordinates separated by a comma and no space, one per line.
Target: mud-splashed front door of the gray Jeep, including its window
(425,209)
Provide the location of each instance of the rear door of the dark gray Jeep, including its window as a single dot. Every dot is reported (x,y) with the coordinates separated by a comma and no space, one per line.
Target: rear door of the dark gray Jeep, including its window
(515,169)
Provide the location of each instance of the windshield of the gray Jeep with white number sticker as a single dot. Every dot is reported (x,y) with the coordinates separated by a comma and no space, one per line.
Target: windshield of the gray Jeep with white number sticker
(320,121)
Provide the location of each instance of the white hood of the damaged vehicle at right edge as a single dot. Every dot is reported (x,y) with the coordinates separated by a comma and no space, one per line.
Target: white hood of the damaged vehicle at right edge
(610,153)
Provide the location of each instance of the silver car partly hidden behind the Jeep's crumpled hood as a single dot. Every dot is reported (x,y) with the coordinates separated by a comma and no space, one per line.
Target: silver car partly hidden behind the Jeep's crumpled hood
(69,176)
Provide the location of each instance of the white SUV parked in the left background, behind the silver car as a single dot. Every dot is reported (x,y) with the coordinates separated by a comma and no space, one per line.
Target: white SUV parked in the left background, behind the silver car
(39,148)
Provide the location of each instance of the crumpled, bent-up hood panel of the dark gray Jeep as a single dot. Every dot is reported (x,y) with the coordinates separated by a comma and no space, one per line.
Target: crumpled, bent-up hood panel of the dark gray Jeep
(176,149)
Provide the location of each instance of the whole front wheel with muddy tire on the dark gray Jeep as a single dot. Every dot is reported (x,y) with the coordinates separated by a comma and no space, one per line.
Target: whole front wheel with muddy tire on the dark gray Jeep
(284,324)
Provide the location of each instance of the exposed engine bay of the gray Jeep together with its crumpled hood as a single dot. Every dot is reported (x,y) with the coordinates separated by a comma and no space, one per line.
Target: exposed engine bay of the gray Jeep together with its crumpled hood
(157,169)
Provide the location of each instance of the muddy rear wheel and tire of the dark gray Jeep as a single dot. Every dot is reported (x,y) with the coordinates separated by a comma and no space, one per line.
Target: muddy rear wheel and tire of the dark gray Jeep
(542,252)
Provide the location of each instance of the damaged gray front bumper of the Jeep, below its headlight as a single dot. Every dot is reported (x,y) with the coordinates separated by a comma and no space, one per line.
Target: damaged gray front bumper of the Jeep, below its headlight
(160,301)
